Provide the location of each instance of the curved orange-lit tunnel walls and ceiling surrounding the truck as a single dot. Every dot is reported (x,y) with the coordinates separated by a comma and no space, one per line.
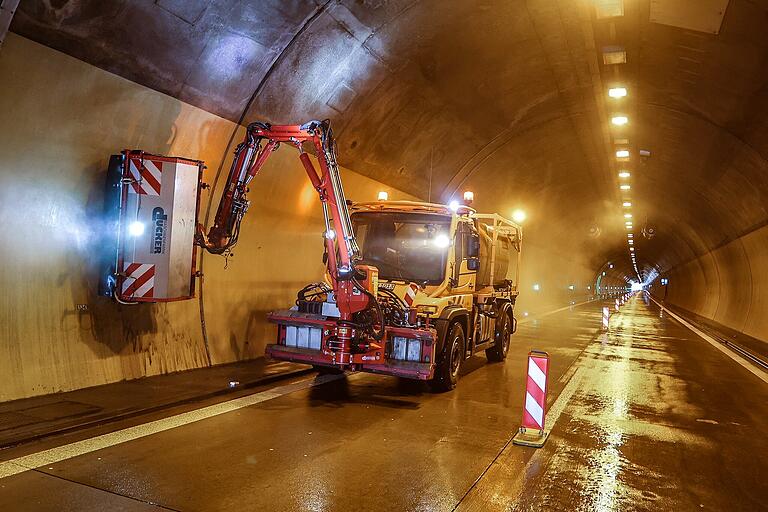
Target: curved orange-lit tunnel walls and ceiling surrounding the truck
(633,134)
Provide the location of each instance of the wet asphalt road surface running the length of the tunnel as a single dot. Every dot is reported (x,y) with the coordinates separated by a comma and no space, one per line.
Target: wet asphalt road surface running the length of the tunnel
(649,416)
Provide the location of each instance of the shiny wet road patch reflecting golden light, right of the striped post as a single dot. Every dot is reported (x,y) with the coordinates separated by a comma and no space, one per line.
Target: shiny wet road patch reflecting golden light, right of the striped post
(625,410)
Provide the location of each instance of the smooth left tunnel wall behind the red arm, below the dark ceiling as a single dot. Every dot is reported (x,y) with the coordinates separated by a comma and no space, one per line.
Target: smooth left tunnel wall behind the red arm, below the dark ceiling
(62,118)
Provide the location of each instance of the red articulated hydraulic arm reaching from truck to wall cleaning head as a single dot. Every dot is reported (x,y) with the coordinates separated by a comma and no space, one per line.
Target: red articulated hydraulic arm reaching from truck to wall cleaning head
(250,156)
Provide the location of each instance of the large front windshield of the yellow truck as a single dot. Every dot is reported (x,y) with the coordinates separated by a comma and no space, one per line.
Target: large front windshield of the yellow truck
(405,246)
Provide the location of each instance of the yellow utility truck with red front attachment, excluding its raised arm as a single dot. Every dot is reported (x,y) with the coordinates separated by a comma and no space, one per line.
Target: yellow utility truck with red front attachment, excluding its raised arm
(445,284)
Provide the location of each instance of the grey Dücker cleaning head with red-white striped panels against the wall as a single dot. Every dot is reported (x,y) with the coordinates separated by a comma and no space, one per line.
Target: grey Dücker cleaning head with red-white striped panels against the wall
(155,200)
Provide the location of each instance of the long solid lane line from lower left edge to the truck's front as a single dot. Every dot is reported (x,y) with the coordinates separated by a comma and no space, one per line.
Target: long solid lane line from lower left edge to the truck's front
(68,451)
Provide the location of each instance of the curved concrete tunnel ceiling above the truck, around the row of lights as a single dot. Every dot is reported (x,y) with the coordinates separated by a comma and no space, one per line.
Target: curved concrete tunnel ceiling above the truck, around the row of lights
(504,97)
